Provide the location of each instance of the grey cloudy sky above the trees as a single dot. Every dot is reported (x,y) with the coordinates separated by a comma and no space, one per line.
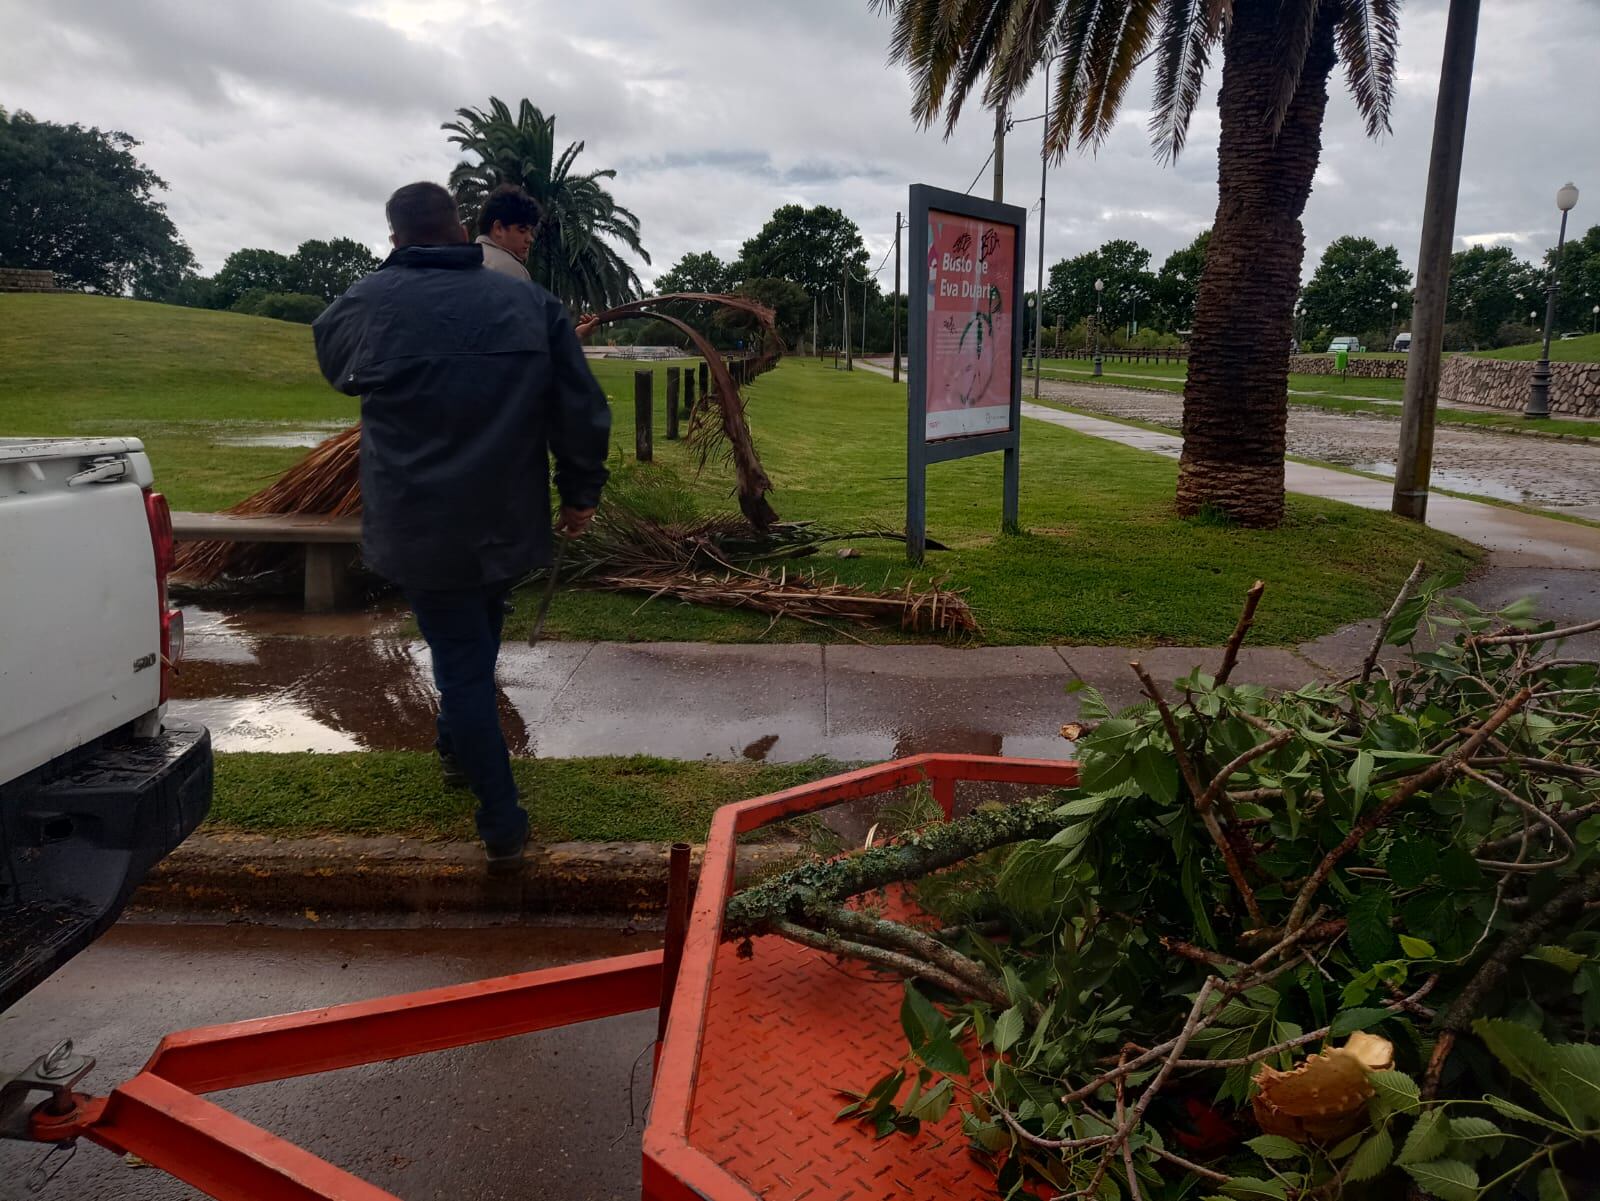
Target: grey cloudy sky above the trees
(281,121)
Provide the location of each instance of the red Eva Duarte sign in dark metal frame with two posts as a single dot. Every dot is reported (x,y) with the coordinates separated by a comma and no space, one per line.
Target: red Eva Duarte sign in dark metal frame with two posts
(959,402)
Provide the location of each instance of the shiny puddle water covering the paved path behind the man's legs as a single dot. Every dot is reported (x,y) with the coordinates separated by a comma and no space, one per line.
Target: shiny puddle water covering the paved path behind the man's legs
(279,680)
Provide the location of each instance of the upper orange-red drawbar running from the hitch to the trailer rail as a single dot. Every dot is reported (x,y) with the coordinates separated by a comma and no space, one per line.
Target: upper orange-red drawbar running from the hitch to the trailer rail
(394,1027)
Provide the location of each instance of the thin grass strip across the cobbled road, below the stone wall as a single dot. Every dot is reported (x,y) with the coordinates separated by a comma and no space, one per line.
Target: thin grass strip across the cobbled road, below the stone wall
(1326,393)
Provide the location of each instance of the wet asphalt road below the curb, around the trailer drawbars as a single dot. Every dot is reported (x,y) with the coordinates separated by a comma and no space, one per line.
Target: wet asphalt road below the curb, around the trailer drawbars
(542,1117)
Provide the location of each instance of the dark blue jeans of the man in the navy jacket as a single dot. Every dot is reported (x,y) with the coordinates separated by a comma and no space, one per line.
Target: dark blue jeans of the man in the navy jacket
(463,631)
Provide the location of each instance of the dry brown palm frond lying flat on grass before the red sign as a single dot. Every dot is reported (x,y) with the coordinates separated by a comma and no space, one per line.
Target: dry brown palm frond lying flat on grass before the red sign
(806,597)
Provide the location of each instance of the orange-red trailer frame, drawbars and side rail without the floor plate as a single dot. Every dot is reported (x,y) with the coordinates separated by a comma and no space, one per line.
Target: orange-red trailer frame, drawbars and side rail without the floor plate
(162,1115)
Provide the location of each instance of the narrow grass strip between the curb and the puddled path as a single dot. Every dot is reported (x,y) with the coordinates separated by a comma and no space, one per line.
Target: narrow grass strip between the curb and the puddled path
(602,800)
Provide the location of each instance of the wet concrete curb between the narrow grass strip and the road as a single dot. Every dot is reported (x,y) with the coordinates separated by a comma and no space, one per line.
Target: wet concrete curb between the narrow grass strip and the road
(257,874)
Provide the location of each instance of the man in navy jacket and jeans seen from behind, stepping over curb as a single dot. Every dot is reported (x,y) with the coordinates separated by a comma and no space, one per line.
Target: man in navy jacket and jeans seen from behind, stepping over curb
(471,383)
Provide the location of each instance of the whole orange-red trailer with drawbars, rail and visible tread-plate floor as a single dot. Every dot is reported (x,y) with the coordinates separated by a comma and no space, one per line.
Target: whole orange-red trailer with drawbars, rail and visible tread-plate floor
(745,1098)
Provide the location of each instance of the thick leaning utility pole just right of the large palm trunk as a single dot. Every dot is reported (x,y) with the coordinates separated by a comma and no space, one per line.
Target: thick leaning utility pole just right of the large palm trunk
(1415,461)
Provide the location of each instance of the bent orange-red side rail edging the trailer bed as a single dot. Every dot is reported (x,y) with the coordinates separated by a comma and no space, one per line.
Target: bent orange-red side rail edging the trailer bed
(676,1170)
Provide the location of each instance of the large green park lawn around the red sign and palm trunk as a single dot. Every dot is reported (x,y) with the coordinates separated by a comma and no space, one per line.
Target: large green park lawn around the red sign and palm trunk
(1103,557)
